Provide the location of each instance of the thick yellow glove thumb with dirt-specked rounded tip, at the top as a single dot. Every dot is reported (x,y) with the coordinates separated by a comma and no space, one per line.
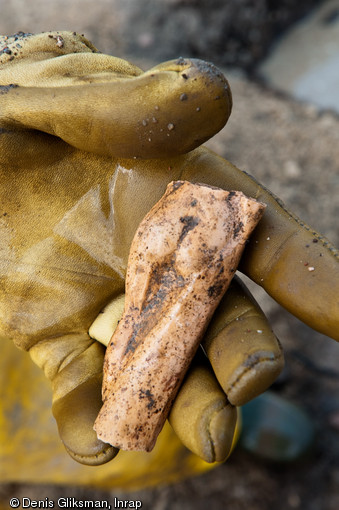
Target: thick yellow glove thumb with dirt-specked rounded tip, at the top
(112,109)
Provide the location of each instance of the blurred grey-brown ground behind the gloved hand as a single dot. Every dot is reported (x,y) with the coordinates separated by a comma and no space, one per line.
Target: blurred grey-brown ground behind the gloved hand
(272,52)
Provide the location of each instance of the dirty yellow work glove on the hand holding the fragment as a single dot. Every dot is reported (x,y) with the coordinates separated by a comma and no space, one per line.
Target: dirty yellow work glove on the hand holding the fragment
(88,143)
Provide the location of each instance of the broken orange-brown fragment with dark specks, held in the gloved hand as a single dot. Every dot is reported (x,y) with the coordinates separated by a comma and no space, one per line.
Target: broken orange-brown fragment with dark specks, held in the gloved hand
(182,259)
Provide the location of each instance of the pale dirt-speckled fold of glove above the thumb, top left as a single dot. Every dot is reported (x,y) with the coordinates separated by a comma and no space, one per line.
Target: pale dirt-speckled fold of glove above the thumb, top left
(30,60)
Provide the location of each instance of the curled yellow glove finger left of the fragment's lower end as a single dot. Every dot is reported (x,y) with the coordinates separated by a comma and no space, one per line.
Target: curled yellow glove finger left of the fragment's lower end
(74,365)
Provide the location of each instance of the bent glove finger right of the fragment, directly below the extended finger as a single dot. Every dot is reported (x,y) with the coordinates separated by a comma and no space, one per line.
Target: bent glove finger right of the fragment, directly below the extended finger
(245,355)
